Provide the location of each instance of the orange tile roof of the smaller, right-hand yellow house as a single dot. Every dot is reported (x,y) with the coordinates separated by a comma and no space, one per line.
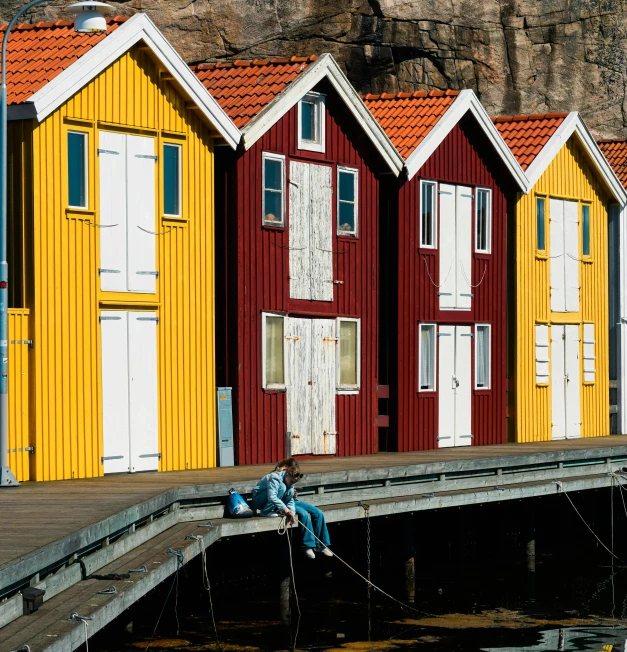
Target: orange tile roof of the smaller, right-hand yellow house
(526,135)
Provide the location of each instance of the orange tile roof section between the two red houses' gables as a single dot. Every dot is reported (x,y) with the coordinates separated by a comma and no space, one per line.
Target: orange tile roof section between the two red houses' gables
(407,118)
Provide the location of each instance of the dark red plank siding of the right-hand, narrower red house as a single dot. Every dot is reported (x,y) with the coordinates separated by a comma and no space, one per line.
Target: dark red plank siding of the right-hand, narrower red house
(464,158)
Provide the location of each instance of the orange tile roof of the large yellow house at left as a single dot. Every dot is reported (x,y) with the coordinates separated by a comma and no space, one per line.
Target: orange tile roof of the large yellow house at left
(38,52)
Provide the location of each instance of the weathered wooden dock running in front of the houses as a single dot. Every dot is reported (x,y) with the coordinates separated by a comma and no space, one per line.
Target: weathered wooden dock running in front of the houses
(54,534)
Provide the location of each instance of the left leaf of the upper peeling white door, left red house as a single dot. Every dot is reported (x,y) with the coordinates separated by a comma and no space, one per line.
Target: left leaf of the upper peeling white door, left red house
(299,230)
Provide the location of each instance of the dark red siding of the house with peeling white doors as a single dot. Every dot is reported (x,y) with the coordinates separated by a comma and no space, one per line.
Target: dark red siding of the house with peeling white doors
(255,273)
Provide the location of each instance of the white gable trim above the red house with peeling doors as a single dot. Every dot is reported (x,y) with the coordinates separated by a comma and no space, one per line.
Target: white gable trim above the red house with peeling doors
(324,66)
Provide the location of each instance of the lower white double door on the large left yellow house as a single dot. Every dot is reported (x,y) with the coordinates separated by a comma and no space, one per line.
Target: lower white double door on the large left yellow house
(129,391)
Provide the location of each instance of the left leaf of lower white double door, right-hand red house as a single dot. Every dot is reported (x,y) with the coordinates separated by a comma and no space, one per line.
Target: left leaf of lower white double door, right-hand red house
(446,386)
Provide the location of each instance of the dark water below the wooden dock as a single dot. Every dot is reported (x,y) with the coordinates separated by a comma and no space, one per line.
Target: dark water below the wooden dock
(473,590)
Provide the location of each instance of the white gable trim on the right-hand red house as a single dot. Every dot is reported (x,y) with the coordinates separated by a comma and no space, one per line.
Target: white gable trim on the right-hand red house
(465,101)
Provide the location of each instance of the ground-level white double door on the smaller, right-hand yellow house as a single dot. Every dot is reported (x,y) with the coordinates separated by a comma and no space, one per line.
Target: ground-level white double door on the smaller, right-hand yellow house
(565,382)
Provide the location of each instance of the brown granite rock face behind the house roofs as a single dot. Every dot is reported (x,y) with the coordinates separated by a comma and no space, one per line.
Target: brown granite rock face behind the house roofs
(520,56)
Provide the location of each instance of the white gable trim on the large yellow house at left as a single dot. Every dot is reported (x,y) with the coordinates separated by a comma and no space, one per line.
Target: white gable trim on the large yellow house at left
(138,28)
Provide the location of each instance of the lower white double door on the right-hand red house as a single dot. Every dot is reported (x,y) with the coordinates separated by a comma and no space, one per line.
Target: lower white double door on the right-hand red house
(455,386)
